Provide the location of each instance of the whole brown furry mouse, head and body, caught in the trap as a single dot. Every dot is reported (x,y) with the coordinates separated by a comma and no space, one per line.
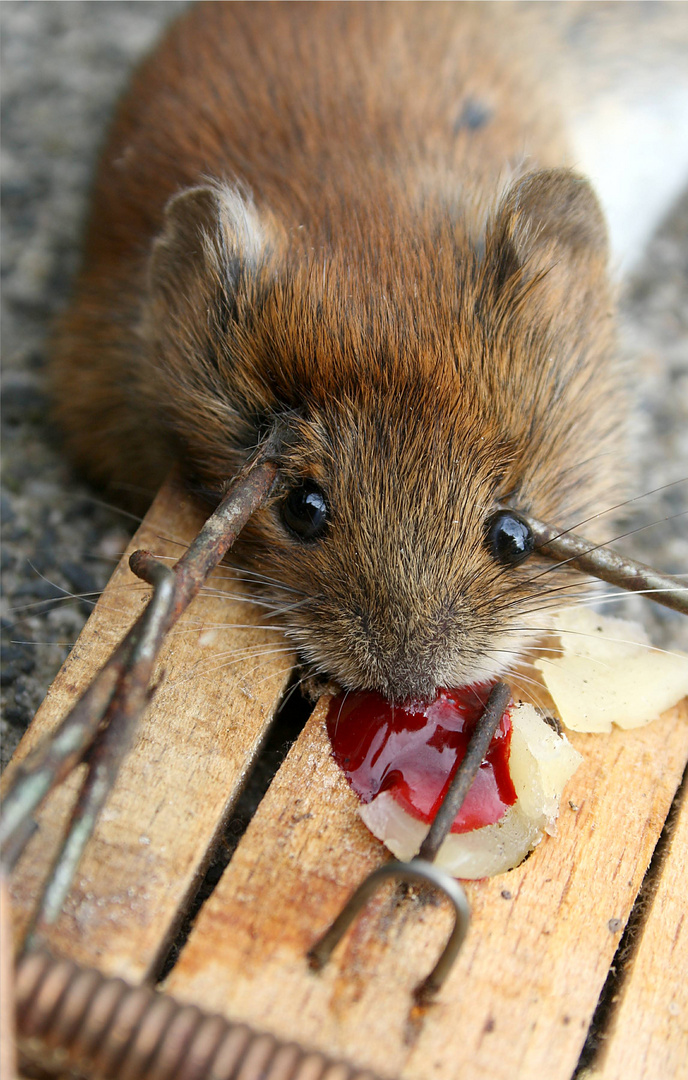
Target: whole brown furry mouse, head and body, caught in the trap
(359,221)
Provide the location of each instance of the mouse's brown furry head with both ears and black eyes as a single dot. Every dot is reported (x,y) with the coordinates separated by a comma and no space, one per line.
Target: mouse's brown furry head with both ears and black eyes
(424,383)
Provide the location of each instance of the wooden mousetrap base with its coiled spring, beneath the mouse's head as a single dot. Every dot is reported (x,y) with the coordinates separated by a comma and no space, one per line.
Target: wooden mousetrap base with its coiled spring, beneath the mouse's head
(573,964)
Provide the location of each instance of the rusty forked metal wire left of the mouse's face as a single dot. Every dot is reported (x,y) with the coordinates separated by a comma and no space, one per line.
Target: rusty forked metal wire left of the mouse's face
(103,722)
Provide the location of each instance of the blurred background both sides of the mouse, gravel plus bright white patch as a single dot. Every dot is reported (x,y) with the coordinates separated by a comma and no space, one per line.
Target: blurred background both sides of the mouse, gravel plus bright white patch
(623,73)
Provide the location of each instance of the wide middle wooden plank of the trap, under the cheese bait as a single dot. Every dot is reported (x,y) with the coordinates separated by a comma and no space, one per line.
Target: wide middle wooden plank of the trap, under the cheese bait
(520,1001)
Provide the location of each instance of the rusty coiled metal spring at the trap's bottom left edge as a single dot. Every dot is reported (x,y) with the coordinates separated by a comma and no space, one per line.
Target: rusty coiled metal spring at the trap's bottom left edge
(73,1019)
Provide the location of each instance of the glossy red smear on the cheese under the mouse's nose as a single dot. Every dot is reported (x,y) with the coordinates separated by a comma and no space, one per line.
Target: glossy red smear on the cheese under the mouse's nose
(414,750)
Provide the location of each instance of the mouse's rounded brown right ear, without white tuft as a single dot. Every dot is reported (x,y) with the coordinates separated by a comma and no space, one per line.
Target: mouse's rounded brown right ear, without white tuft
(549,220)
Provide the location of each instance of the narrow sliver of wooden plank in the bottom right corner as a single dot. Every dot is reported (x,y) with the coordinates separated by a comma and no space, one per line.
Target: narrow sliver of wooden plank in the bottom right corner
(649,1035)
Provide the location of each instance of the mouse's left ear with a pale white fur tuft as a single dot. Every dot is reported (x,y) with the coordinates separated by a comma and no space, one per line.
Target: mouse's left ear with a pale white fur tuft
(212,238)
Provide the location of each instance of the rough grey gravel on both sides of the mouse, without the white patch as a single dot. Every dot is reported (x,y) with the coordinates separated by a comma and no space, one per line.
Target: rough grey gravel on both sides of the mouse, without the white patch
(63,67)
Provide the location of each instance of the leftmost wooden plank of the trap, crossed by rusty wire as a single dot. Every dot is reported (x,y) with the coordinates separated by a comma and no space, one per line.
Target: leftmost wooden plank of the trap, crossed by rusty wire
(192,755)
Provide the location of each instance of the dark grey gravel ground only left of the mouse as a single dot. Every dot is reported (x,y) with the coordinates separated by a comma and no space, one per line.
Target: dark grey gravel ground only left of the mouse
(64,66)
